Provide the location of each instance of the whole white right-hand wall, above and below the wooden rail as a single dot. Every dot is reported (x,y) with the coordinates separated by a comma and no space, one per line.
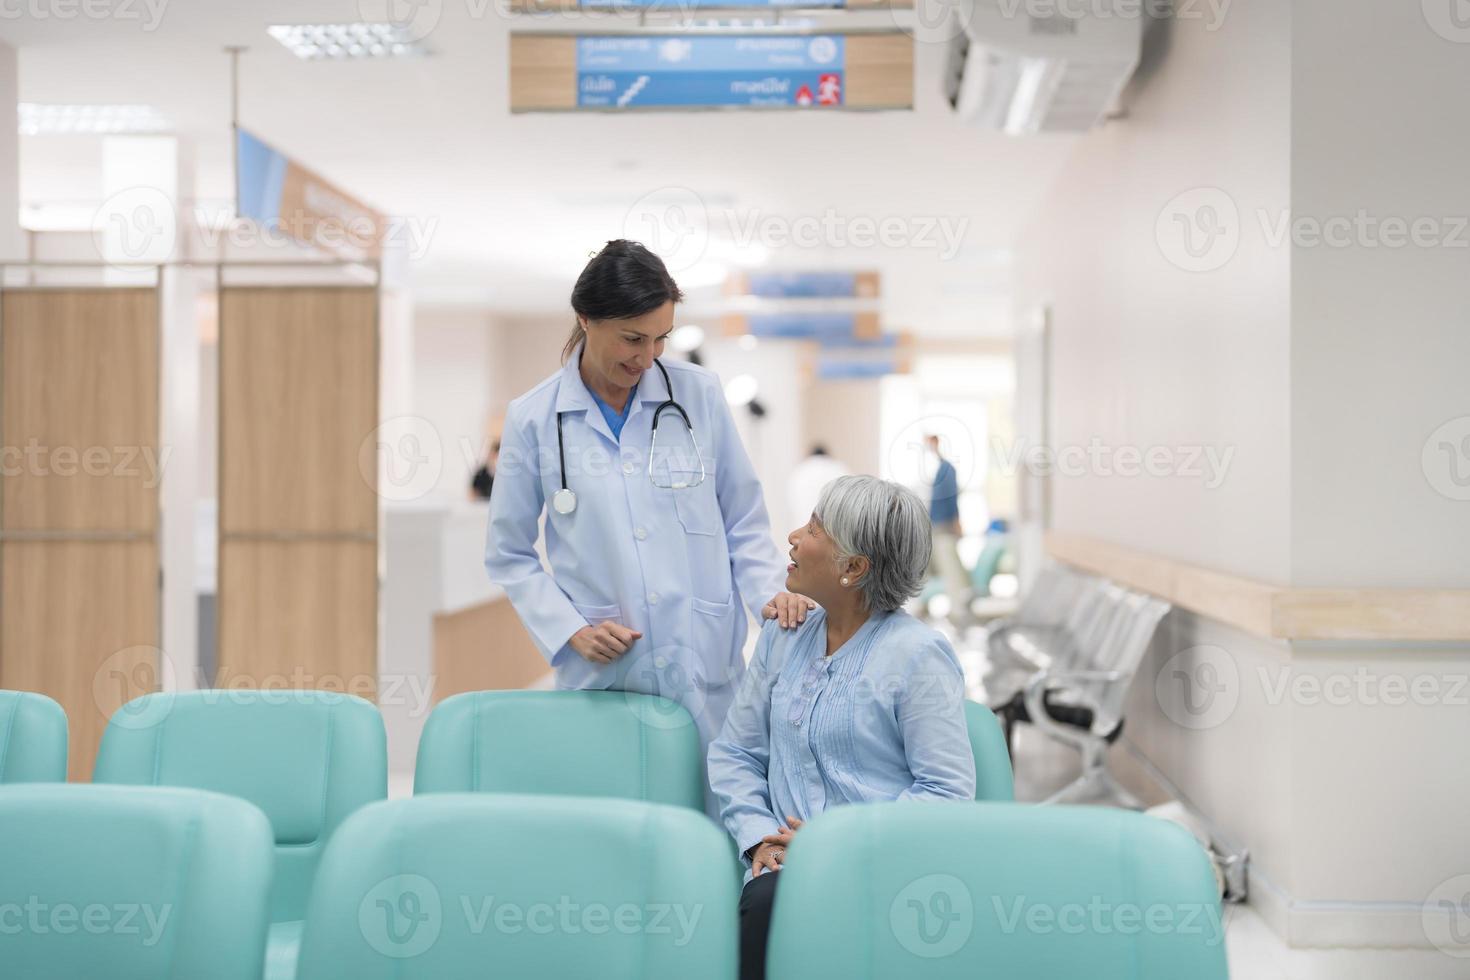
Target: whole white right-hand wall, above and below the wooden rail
(1324,371)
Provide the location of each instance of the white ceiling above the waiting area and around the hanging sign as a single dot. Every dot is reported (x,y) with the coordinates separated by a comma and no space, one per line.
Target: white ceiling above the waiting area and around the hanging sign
(506,208)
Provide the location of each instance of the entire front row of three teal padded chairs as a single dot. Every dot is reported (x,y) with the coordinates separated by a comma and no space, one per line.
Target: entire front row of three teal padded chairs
(173,884)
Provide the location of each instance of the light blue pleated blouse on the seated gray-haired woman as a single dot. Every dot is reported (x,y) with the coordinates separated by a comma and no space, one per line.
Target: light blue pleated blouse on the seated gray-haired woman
(880,719)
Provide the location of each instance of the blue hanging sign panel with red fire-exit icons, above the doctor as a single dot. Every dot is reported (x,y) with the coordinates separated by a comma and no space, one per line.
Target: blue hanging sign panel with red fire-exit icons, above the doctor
(633,71)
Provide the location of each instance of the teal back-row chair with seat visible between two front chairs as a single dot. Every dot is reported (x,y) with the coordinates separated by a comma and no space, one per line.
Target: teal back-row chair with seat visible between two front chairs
(308,759)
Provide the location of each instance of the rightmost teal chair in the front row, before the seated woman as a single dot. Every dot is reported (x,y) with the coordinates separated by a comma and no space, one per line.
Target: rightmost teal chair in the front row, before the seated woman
(924,891)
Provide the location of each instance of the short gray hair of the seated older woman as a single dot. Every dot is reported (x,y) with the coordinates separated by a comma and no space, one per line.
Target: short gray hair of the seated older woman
(886,524)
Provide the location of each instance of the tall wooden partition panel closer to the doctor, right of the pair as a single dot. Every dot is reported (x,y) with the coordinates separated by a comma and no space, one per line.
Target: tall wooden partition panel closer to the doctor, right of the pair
(298,500)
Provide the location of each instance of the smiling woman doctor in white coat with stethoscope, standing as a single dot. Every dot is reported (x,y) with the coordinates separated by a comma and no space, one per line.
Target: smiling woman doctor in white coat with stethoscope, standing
(656,531)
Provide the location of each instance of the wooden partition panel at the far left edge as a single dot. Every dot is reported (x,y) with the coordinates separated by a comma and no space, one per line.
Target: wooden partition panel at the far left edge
(79,503)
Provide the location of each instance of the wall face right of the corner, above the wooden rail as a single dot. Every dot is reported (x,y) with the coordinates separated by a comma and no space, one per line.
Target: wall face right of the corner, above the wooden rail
(1381,334)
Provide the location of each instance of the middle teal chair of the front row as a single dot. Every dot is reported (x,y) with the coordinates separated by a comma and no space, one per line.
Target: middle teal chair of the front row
(464,887)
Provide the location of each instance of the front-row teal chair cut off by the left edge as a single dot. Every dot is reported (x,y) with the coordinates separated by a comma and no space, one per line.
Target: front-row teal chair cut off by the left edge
(132,885)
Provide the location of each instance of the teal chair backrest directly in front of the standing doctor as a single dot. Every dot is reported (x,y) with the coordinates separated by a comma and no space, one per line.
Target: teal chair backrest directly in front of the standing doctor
(565,744)
